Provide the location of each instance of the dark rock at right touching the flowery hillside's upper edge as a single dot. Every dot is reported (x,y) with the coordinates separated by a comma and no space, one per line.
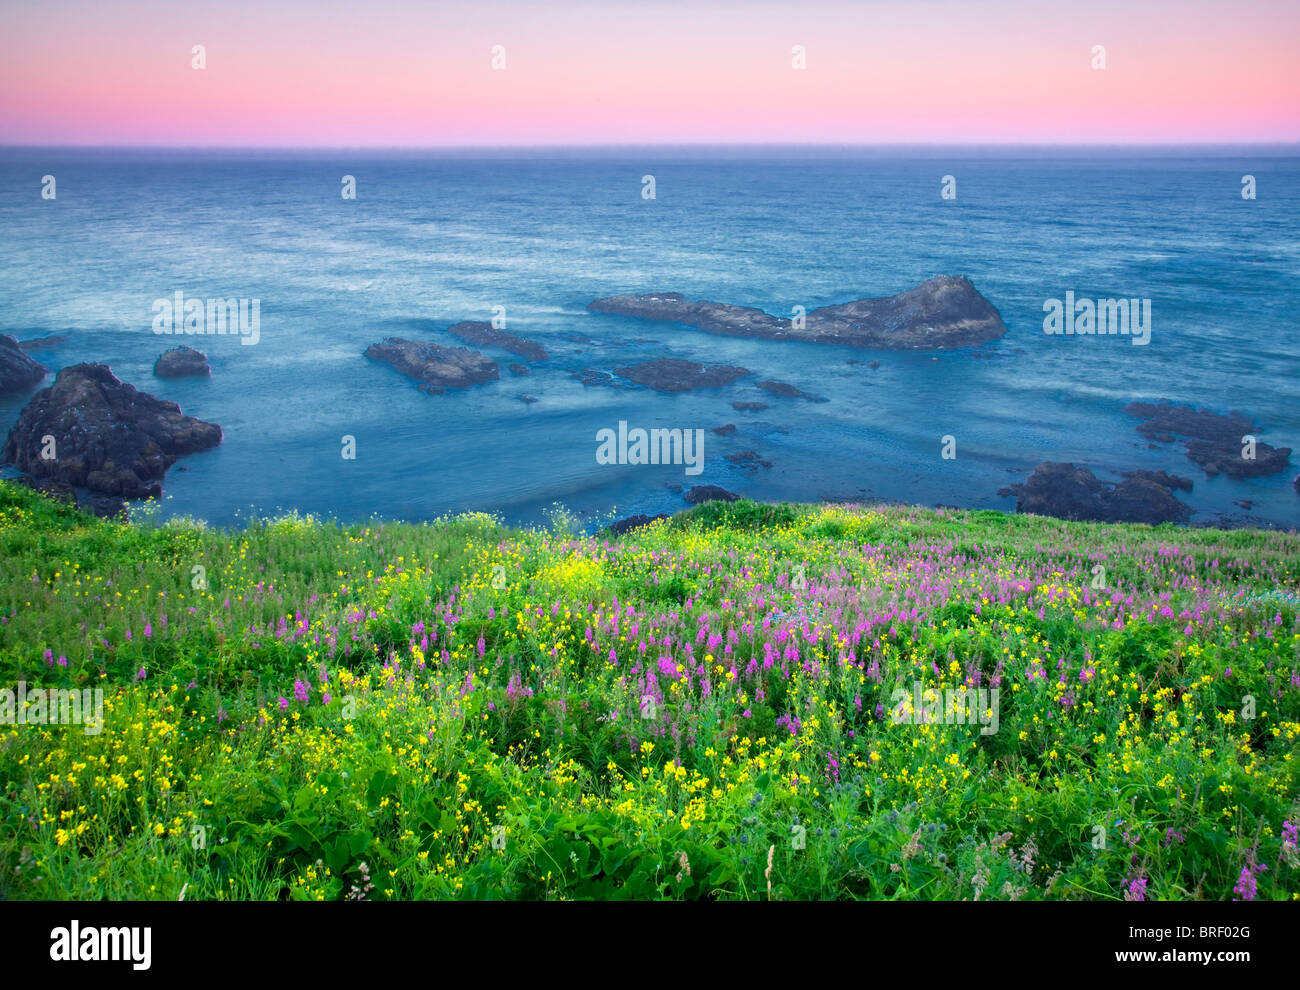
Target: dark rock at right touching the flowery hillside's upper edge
(1072,493)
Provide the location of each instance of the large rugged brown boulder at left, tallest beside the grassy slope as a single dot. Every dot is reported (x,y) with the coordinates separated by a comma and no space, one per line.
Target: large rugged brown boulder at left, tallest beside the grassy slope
(107,436)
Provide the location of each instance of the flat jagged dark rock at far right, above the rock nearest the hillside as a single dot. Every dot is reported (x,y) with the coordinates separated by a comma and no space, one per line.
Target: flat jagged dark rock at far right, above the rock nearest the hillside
(1215,441)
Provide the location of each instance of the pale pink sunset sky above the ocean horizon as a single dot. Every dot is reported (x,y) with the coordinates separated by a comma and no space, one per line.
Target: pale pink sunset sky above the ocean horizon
(389,73)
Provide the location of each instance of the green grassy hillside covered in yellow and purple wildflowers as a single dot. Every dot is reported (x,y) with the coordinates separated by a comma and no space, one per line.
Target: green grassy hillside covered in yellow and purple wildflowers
(704,709)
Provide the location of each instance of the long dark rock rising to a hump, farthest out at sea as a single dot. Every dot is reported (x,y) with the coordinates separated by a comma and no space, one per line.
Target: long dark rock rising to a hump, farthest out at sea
(943,312)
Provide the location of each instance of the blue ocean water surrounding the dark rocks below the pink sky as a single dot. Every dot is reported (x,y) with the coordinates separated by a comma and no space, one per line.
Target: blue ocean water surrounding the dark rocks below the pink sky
(435,238)
